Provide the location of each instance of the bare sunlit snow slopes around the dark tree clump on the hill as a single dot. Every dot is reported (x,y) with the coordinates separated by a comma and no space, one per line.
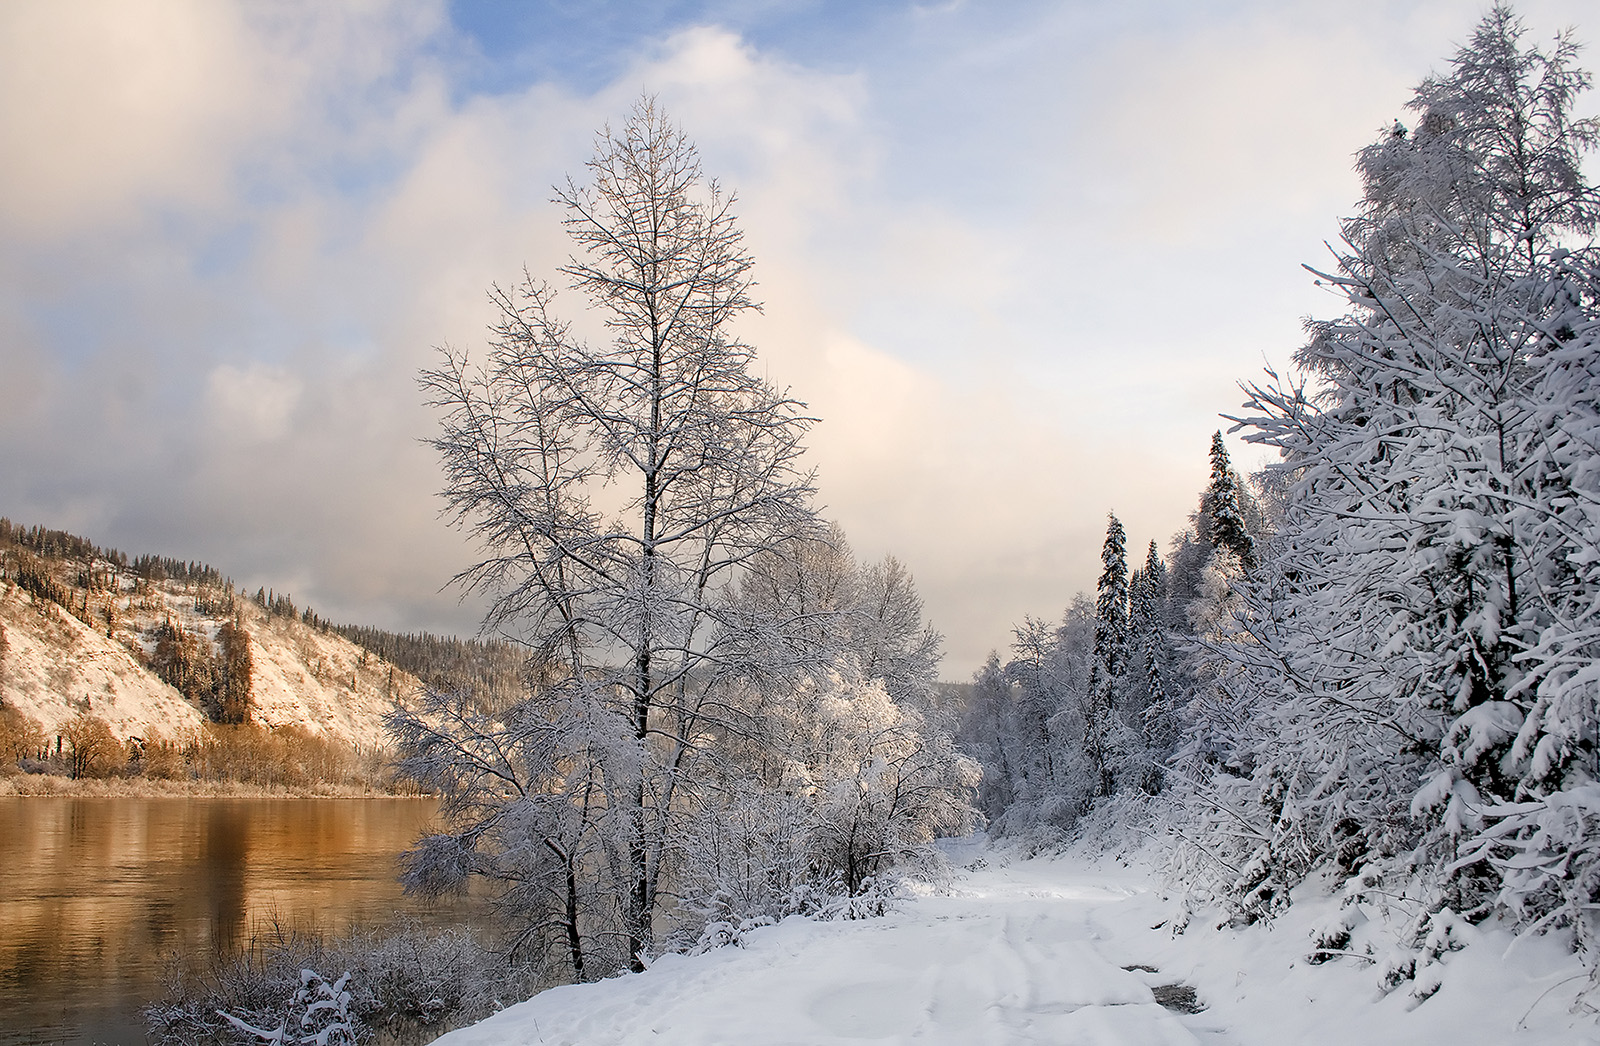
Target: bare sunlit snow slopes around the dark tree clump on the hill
(58,666)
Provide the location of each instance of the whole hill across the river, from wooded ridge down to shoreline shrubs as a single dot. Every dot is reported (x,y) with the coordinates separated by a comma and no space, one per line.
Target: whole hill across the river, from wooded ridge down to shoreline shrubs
(186,626)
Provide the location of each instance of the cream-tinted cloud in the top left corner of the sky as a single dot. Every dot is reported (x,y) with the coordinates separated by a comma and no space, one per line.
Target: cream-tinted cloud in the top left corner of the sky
(129,111)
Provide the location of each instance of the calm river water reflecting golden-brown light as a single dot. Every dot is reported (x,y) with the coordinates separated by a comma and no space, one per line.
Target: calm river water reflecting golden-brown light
(98,893)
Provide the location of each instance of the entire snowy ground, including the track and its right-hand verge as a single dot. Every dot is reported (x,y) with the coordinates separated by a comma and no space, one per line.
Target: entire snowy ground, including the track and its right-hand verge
(1049,951)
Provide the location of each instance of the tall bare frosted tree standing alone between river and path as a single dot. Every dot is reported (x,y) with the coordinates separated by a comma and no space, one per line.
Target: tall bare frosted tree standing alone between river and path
(617,492)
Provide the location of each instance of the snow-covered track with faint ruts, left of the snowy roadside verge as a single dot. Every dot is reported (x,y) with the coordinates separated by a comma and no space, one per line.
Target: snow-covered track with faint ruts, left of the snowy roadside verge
(1009,957)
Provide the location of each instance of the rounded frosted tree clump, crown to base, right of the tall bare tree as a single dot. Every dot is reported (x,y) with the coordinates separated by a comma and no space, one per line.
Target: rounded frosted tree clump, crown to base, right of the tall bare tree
(842,764)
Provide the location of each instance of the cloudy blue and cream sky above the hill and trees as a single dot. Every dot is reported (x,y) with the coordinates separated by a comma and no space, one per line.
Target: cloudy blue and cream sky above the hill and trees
(1015,257)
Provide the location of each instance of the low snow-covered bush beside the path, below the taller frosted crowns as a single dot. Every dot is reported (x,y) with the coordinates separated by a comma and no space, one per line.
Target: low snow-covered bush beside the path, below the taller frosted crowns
(852,784)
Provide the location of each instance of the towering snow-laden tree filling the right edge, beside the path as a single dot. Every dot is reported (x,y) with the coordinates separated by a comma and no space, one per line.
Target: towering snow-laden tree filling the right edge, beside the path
(1426,609)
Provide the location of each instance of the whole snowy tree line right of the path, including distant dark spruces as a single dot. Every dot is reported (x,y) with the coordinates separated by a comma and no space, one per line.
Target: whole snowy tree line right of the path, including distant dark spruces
(1383,666)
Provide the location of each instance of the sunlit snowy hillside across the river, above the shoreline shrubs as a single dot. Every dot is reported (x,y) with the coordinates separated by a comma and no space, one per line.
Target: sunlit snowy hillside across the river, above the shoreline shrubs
(159,649)
